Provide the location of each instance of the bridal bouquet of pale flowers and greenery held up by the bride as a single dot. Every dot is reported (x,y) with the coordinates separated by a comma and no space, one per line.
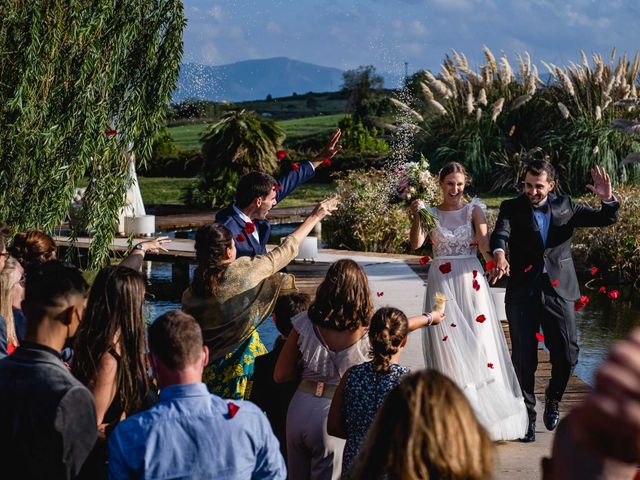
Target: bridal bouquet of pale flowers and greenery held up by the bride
(415,182)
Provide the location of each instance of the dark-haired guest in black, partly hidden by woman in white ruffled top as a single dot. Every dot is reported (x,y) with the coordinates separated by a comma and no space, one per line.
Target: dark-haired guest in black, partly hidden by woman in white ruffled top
(273,398)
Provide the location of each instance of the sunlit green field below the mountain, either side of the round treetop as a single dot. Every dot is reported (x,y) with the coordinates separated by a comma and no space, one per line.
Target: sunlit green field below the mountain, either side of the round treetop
(187,137)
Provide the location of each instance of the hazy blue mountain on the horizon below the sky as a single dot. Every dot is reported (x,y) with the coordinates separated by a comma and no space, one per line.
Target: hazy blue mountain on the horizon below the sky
(254,80)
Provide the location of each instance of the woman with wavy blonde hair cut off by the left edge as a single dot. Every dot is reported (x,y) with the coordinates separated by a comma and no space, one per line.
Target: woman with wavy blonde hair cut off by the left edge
(11,296)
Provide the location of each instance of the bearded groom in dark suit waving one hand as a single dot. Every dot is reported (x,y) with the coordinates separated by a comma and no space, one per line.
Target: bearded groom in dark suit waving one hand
(536,228)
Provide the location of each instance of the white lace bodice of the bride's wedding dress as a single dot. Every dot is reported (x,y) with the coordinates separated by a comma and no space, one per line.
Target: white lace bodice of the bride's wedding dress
(454,234)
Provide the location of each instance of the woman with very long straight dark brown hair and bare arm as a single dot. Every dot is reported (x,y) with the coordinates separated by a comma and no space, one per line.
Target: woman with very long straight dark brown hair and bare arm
(109,353)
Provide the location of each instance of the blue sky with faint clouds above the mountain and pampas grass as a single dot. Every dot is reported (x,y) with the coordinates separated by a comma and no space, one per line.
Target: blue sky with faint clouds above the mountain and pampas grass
(386,33)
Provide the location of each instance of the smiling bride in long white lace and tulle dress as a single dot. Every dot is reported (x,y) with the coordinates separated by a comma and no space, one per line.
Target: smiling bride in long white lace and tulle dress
(470,346)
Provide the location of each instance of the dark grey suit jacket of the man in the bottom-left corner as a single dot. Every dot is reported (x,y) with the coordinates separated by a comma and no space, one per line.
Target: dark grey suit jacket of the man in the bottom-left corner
(47,417)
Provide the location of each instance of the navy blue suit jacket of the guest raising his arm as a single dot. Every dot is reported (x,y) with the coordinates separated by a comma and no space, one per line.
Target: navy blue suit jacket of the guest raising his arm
(228,216)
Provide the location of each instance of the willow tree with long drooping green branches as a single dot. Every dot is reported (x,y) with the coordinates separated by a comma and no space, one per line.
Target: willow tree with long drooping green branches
(83,84)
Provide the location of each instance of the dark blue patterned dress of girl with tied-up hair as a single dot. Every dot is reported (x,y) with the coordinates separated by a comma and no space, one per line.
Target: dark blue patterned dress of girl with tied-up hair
(364,392)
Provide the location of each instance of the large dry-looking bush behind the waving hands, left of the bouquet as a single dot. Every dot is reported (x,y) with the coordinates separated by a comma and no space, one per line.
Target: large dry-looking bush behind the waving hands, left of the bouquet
(366,220)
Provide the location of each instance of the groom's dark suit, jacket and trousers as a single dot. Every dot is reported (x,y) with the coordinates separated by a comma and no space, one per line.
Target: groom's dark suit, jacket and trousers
(531,298)
